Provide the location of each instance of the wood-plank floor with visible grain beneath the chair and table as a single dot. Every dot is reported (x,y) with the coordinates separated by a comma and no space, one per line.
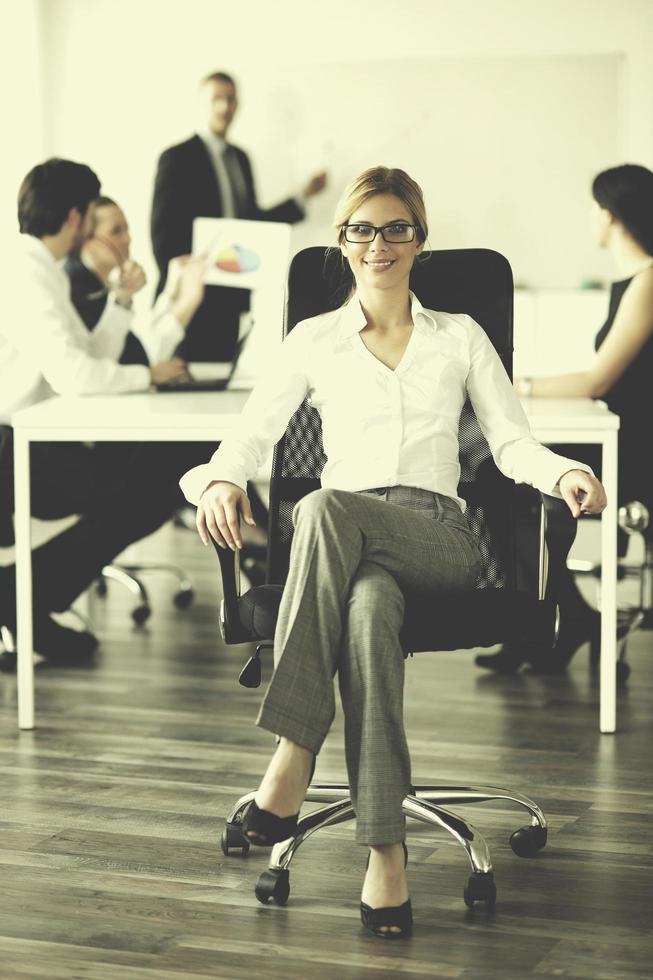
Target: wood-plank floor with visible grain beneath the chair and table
(112,809)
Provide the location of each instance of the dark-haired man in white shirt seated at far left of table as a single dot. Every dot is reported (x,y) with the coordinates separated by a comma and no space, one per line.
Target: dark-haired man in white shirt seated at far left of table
(45,349)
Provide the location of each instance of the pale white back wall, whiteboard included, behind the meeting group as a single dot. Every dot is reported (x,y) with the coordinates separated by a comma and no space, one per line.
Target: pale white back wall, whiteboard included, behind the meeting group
(121,86)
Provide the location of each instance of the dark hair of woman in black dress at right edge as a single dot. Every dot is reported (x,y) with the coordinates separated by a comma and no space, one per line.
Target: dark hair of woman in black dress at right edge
(627,193)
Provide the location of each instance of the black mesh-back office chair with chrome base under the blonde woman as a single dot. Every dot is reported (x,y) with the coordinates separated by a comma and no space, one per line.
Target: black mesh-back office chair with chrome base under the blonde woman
(507,605)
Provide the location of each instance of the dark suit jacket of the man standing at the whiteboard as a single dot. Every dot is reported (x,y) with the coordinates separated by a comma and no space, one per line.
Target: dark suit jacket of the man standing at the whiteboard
(186,188)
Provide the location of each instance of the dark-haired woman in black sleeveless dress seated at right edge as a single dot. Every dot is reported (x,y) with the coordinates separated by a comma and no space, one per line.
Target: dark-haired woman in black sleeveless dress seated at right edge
(621,374)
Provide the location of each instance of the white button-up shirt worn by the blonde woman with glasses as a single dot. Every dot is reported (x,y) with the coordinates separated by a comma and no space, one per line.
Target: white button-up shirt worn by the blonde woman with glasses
(382,427)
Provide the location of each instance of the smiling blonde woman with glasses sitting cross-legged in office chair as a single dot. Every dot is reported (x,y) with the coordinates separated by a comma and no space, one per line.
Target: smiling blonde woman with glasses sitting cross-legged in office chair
(389,379)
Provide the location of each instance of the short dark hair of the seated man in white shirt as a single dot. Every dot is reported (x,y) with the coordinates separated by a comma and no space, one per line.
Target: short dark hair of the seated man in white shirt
(49,192)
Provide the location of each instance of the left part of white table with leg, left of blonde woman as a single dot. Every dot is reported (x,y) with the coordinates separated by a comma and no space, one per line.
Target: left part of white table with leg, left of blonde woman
(169,417)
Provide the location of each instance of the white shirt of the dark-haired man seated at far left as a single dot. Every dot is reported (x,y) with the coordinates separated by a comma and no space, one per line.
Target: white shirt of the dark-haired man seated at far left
(45,349)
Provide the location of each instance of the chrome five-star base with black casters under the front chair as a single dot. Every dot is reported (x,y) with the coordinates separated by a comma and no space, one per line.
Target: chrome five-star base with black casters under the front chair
(424,803)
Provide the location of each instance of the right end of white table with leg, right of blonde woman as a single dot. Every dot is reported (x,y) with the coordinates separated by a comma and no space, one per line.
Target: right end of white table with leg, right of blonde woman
(582,420)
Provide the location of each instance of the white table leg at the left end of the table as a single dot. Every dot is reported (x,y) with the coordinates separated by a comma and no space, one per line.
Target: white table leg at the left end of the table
(23,532)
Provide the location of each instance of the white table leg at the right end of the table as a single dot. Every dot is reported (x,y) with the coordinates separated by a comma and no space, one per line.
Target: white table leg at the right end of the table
(608,674)
